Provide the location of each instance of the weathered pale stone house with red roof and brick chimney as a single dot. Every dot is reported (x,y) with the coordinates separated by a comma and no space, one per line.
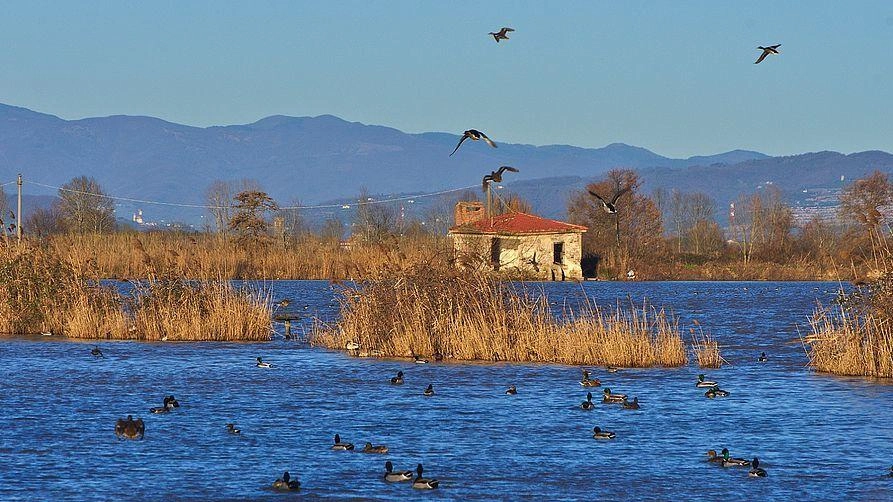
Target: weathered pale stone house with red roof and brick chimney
(520,242)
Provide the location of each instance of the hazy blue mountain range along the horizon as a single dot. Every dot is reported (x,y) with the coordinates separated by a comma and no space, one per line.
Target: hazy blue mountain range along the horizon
(325,158)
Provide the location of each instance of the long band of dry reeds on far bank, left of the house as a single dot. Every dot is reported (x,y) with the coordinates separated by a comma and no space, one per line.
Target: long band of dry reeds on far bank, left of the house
(205,256)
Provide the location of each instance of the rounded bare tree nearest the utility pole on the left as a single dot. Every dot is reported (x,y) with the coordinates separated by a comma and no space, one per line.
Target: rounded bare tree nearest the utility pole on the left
(84,207)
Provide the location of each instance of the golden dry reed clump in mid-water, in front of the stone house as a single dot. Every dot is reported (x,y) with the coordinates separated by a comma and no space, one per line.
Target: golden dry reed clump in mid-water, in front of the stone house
(457,316)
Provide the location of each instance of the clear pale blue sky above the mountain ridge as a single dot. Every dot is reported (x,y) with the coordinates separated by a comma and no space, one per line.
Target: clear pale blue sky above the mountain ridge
(676,77)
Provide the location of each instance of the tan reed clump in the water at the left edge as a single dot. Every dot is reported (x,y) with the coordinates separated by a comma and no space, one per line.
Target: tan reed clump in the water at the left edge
(42,292)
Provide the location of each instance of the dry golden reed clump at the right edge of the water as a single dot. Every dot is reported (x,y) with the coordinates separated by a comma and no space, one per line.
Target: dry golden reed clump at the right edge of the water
(844,343)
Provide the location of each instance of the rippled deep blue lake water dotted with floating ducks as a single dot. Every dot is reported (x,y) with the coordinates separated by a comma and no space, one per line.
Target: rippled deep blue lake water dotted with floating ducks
(819,437)
